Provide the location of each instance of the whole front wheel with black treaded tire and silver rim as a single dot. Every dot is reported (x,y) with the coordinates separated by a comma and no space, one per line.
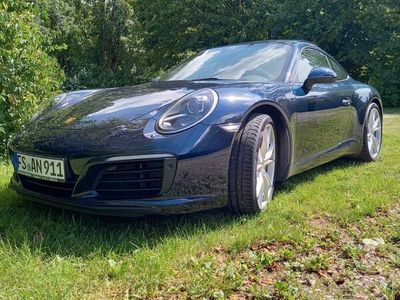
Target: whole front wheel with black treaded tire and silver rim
(253,166)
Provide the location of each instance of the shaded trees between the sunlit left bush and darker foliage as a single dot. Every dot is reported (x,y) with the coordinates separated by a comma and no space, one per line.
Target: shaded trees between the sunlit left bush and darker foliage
(98,41)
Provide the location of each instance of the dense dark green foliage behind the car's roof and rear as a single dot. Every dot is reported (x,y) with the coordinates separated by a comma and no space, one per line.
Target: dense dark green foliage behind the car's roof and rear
(363,35)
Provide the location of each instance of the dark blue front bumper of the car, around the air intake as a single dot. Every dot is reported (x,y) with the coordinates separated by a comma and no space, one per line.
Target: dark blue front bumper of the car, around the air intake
(196,179)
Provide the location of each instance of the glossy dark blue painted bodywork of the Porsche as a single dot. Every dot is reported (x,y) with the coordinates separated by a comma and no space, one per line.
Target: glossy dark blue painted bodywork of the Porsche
(319,124)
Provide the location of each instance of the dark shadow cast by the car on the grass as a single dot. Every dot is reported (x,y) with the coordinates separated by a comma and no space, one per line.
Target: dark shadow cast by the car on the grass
(53,231)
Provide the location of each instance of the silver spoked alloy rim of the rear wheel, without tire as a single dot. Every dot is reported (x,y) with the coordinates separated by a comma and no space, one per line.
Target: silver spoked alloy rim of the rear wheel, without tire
(374,133)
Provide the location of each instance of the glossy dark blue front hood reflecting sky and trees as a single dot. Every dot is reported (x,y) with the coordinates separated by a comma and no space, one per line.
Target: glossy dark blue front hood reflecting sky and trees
(110,107)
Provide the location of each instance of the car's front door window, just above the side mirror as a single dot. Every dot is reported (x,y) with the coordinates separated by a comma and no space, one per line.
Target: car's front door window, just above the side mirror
(309,60)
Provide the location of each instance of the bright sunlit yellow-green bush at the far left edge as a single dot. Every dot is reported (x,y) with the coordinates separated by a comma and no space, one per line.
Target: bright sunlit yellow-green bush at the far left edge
(28,76)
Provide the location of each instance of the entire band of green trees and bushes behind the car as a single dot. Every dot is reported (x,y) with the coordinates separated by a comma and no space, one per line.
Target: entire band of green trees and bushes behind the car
(106,43)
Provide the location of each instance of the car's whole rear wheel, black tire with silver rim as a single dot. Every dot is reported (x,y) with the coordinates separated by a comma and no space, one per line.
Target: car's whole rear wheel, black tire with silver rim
(372,134)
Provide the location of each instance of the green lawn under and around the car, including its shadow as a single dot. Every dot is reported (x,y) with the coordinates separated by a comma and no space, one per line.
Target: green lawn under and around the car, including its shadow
(51,253)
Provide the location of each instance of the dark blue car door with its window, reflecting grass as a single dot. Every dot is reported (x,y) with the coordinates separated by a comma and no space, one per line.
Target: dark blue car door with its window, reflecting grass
(322,114)
